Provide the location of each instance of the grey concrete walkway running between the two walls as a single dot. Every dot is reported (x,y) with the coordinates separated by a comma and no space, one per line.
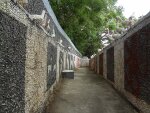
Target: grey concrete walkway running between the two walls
(89,93)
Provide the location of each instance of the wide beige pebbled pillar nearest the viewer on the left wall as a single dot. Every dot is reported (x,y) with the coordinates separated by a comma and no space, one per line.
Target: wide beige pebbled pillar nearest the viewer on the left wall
(36,70)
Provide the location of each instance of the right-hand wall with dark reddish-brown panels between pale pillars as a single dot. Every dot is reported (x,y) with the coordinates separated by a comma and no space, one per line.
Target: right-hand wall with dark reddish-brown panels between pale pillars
(126,64)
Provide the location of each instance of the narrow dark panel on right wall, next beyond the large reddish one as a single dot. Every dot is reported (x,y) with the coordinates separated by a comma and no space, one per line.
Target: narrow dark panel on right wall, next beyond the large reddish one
(110,64)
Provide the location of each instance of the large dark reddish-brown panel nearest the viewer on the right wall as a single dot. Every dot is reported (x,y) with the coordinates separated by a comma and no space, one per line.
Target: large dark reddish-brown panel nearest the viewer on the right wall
(137,64)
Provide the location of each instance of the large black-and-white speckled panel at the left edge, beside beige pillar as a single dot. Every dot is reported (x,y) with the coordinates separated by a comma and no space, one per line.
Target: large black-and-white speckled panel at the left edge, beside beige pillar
(12,64)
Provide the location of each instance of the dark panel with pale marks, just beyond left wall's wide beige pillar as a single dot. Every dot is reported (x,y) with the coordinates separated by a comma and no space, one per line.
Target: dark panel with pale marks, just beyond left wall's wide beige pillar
(51,64)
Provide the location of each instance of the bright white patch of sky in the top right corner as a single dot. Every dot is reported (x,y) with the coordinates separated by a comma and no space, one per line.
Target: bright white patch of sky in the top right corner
(134,7)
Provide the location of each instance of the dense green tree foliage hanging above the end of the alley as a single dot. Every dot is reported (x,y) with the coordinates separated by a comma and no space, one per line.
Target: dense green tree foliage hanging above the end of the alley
(83,20)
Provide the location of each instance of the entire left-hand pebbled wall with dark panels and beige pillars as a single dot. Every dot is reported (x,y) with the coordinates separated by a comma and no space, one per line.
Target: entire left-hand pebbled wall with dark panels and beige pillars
(31,59)
